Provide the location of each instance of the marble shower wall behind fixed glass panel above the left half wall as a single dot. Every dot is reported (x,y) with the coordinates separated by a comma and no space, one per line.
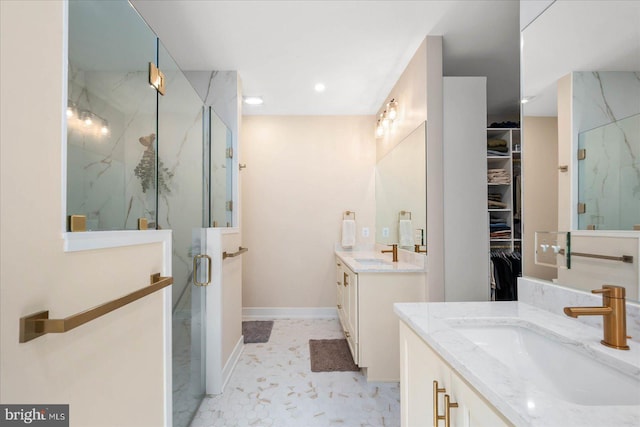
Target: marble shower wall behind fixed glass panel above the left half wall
(101,179)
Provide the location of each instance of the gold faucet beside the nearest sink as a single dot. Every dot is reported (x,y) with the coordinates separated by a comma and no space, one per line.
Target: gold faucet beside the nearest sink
(613,312)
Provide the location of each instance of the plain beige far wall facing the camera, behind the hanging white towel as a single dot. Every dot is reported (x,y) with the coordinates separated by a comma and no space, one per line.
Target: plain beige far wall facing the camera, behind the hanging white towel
(302,174)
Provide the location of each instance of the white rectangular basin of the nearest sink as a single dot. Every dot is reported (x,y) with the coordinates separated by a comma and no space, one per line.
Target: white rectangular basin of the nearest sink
(553,364)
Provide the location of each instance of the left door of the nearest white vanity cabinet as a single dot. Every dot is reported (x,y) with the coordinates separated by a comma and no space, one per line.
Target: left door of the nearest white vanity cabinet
(420,367)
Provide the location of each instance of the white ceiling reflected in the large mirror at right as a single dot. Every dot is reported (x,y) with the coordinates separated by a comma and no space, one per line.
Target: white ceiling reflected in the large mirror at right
(574,35)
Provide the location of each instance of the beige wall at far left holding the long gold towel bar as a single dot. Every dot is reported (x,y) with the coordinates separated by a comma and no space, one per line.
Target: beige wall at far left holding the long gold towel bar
(111,370)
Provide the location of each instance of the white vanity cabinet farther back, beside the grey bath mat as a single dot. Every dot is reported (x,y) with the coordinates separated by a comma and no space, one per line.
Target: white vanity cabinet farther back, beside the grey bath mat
(365,308)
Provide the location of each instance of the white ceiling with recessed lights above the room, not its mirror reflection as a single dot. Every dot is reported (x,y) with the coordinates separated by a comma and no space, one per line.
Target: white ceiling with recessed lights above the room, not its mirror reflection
(358,49)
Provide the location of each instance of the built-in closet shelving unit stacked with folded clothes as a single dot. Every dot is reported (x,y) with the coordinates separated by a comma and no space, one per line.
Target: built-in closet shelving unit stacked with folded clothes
(503,188)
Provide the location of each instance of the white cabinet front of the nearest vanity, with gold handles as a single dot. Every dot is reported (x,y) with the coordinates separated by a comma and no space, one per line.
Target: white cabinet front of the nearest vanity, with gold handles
(420,367)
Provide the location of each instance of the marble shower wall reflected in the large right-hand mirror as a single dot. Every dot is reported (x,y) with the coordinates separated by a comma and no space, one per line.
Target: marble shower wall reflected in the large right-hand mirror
(606,115)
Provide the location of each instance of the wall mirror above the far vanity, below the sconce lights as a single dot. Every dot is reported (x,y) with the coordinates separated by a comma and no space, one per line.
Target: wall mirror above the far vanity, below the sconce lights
(401,192)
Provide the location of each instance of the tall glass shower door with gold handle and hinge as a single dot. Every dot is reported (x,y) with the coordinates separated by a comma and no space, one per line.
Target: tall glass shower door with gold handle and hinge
(181,208)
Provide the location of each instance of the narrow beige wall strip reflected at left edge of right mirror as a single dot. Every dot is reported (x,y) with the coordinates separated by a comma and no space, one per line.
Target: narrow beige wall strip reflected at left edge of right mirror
(540,188)
